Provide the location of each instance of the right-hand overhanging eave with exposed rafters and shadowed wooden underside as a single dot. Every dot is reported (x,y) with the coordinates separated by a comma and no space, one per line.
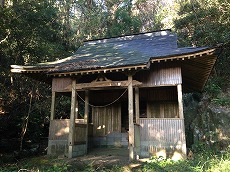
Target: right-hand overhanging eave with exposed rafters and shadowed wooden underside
(195,67)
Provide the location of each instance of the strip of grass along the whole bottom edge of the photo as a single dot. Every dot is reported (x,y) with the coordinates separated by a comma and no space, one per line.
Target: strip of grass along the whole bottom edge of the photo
(202,162)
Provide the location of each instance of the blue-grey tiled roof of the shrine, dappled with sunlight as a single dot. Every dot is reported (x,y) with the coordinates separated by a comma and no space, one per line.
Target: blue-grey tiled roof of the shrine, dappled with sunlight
(117,52)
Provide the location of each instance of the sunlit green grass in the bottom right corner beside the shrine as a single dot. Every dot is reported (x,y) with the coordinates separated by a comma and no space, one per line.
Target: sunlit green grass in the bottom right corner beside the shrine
(208,162)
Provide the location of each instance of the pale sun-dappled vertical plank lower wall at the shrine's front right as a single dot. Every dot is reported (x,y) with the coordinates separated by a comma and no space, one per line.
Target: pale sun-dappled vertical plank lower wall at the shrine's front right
(158,134)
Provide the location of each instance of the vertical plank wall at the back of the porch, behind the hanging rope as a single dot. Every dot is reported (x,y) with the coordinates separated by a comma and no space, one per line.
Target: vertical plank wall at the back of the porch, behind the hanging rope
(106,120)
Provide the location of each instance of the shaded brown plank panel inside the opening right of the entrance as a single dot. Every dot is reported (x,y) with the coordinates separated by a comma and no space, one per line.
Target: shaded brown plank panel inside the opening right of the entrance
(162,110)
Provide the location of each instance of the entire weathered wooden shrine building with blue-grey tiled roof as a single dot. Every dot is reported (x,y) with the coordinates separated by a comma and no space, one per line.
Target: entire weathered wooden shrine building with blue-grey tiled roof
(131,87)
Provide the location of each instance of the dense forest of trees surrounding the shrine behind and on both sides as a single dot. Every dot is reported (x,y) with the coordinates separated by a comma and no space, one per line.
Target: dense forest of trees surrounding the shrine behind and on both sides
(34,31)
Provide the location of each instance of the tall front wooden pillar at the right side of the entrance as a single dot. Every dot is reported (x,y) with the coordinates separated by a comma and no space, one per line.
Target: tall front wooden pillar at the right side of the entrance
(131,125)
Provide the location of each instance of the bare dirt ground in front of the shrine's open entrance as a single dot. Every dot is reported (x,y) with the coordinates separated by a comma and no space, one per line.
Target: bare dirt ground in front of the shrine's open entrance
(106,157)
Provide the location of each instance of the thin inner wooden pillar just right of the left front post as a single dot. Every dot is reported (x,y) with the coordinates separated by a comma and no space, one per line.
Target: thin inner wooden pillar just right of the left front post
(86,116)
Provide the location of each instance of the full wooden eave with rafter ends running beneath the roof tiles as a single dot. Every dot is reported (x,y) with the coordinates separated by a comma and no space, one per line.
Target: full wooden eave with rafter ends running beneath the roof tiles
(196,68)
